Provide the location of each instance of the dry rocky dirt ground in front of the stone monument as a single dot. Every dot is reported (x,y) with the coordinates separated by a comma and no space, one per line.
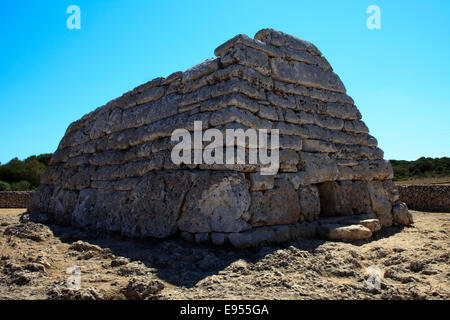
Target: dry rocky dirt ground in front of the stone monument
(40,262)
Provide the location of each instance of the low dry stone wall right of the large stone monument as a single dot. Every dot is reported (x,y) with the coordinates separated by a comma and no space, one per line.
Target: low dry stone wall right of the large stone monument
(433,198)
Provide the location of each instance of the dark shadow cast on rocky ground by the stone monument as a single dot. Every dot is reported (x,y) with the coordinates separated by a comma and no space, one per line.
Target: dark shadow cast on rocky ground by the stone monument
(183,263)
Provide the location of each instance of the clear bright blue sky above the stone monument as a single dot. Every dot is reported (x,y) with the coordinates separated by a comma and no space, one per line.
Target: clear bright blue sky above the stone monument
(399,76)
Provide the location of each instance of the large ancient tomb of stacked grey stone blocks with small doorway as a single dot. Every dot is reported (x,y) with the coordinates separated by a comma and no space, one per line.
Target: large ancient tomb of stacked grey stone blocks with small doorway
(113,172)
